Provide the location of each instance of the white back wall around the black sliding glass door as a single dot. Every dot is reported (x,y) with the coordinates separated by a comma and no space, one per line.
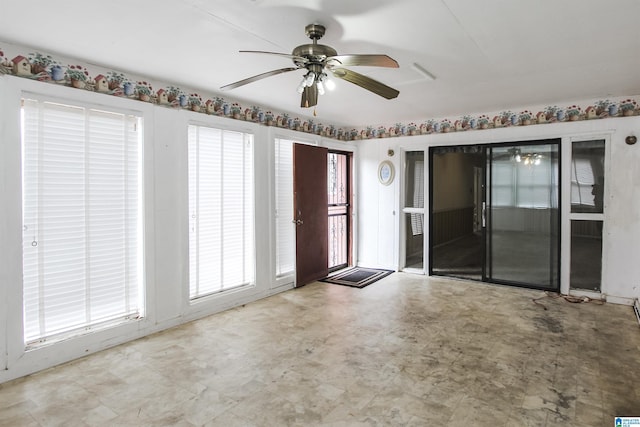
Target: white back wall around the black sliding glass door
(621,235)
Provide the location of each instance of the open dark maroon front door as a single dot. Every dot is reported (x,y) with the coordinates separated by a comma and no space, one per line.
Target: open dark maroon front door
(310,212)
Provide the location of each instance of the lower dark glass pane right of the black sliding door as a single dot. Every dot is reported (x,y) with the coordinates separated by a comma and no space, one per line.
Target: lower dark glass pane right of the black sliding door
(586,255)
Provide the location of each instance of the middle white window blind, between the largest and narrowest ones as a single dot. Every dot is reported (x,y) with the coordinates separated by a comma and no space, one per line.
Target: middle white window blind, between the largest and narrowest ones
(221,210)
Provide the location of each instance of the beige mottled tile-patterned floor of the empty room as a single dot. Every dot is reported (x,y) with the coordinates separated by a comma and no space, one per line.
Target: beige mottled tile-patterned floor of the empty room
(405,351)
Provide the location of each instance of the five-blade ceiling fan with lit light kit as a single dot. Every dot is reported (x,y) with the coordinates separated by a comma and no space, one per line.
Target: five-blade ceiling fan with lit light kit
(317,60)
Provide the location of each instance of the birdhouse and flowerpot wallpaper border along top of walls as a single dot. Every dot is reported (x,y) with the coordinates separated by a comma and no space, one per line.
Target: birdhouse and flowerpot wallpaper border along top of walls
(45,68)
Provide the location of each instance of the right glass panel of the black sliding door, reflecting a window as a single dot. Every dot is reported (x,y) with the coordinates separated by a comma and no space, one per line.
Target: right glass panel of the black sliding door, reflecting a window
(522,238)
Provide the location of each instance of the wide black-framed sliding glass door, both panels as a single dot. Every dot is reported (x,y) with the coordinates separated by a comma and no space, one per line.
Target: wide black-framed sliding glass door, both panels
(495,213)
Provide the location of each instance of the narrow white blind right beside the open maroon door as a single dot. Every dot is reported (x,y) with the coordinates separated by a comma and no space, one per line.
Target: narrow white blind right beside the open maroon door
(285,231)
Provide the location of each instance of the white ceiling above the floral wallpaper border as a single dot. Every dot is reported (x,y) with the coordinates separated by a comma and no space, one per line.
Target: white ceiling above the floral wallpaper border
(486,55)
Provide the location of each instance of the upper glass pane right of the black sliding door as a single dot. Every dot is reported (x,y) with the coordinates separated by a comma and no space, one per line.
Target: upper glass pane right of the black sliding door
(587,176)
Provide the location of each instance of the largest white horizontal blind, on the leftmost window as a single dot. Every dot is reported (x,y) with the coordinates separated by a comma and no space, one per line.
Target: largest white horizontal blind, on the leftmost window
(82,245)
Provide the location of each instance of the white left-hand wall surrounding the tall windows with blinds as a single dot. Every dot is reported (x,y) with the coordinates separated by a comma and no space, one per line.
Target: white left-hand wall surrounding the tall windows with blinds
(165,221)
